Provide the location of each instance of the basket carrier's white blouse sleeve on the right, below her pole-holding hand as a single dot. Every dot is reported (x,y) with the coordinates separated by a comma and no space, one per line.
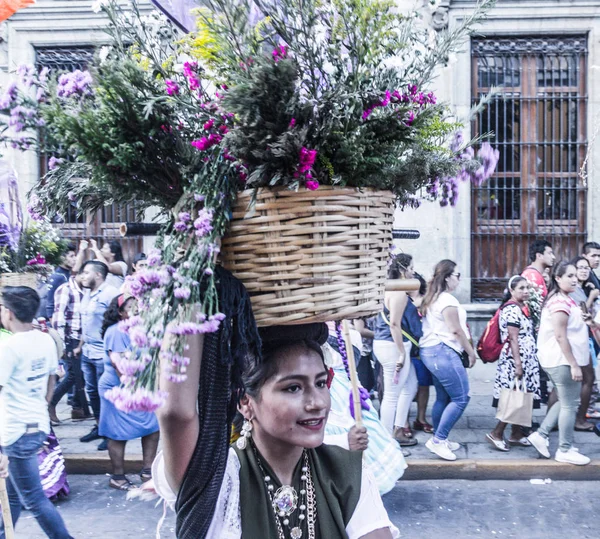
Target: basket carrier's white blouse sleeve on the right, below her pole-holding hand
(370,514)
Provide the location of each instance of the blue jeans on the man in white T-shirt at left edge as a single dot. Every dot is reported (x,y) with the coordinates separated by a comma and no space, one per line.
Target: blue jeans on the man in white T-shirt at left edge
(25,487)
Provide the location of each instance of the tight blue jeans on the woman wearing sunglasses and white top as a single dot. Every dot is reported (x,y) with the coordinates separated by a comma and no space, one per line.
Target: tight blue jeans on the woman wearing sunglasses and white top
(451,386)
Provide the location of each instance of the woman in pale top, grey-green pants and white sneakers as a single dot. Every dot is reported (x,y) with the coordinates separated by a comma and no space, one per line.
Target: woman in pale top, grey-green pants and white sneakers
(563,349)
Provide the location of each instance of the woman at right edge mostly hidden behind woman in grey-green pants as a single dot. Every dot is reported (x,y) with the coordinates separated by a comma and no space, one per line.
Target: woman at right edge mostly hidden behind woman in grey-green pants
(585,292)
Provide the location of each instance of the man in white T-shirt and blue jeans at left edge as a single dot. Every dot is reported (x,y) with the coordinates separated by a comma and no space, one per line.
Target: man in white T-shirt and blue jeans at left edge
(28,358)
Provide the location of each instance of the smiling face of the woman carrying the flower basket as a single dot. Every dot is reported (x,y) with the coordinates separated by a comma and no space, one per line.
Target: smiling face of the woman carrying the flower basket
(292,407)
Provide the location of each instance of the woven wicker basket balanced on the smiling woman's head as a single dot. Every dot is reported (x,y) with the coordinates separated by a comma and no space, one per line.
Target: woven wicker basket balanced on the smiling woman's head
(311,256)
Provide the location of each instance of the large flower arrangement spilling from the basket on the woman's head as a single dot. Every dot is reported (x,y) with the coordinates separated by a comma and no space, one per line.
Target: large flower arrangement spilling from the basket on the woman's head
(263,94)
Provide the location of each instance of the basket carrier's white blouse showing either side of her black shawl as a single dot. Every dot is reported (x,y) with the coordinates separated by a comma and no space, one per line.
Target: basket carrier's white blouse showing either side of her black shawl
(226,522)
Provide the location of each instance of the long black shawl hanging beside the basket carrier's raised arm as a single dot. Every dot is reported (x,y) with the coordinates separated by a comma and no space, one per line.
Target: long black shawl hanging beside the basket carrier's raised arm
(223,360)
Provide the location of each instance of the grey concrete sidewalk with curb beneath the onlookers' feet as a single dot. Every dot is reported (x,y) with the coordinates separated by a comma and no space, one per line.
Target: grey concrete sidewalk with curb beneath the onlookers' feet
(476,458)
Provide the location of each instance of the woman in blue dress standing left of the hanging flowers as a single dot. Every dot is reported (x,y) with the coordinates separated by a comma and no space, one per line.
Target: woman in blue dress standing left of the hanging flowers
(120,427)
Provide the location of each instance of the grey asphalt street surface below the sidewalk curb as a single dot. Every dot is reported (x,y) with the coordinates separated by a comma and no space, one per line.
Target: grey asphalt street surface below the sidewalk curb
(421,509)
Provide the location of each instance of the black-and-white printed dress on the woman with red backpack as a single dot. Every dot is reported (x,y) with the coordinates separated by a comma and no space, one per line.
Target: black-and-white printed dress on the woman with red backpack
(512,315)
